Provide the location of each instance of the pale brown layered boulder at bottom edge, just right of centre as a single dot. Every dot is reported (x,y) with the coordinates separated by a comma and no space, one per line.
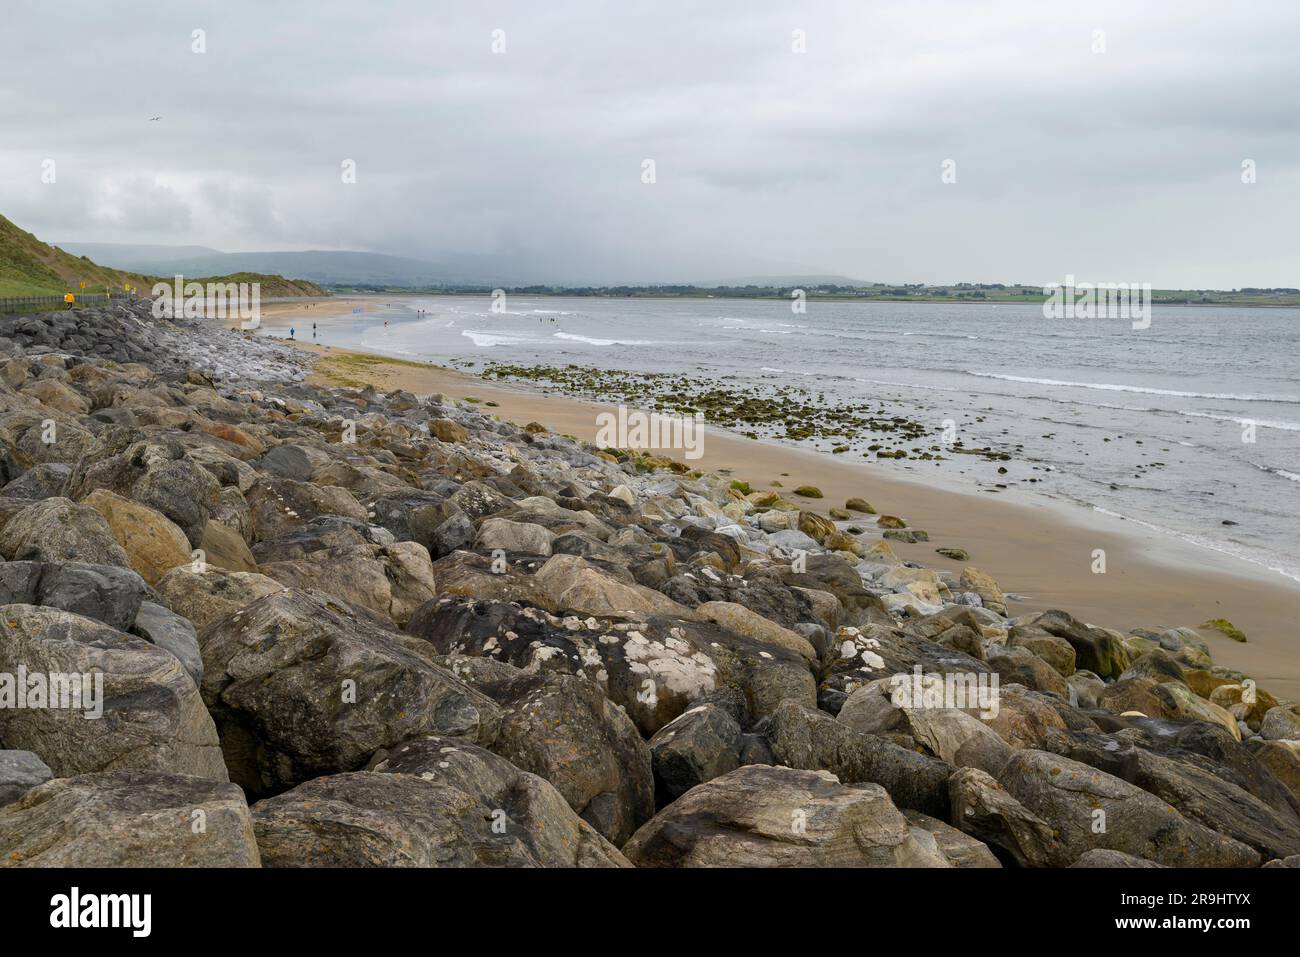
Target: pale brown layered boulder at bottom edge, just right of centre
(781,817)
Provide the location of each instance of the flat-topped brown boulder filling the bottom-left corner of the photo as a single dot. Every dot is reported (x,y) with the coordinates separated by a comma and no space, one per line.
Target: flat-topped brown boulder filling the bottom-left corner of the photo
(129,820)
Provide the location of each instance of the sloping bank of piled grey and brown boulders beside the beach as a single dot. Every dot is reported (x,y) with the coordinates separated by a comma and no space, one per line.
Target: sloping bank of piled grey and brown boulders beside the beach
(253,622)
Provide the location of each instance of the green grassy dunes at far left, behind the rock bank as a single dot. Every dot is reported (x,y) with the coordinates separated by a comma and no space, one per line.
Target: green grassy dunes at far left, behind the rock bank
(29,267)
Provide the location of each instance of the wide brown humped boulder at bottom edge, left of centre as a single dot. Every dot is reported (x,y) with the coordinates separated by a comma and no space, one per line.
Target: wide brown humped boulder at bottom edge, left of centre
(431,803)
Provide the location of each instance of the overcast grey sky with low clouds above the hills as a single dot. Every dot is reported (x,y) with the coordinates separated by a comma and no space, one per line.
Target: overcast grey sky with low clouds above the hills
(1117,166)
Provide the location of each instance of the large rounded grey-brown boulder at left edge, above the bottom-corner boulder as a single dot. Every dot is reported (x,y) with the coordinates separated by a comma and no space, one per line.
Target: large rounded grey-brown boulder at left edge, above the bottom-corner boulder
(137,708)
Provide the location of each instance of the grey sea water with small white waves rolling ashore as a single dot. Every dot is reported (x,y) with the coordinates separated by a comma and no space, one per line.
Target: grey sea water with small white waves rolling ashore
(1182,426)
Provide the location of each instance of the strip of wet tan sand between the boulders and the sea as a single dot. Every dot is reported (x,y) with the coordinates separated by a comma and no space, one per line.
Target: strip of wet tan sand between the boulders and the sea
(1039,551)
